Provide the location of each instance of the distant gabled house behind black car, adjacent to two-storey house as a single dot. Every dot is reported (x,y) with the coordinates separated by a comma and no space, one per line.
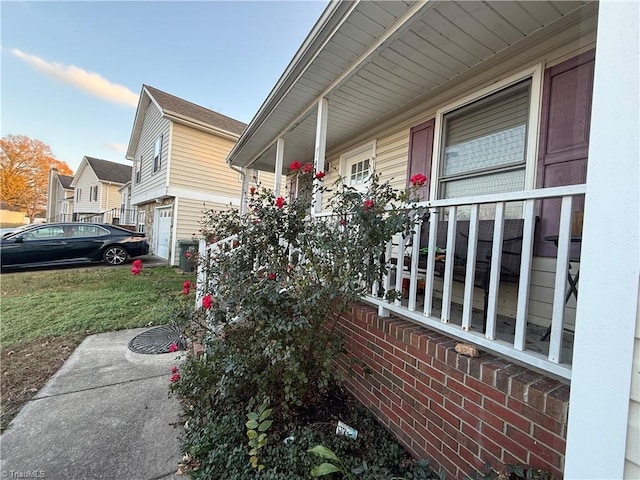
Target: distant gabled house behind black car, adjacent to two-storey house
(96,186)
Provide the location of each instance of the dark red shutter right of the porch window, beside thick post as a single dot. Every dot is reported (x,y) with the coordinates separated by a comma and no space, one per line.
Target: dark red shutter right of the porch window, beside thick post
(564,138)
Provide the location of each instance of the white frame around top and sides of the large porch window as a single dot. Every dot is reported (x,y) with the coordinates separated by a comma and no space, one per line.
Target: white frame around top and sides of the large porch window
(534,73)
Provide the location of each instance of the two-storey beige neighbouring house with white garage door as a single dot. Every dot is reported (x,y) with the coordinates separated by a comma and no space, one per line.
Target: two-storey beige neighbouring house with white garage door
(178,150)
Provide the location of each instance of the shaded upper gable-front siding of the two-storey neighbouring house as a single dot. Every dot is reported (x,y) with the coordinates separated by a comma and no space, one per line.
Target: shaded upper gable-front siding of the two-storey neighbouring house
(153,126)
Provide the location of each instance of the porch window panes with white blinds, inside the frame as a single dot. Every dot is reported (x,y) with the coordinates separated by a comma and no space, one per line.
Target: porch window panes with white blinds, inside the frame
(484,144)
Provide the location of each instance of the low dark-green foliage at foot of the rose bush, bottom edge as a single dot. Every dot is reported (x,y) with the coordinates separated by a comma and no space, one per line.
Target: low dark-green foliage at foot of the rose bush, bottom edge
(220,445)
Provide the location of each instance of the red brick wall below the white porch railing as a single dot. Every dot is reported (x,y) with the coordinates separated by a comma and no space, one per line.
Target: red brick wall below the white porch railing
(458,411)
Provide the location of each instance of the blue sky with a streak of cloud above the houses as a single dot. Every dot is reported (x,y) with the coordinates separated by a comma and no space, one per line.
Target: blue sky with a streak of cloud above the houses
(72,71)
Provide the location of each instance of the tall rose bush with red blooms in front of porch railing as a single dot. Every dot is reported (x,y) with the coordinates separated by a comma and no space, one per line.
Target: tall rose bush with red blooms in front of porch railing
(280,288)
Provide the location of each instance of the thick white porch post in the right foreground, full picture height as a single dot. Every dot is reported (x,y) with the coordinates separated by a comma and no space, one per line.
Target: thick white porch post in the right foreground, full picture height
(607,308)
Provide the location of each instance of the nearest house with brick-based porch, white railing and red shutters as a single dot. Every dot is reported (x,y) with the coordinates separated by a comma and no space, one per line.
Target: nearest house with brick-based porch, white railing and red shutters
(513,110)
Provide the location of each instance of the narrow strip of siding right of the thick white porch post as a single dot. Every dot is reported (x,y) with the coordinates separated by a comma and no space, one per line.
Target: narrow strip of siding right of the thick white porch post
(632,463)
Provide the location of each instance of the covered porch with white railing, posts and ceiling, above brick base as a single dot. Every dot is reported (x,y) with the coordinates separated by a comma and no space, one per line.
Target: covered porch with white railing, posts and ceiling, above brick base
(386,77)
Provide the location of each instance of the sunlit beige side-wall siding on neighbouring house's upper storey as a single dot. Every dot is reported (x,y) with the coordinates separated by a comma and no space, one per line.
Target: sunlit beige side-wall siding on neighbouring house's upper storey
(198,163)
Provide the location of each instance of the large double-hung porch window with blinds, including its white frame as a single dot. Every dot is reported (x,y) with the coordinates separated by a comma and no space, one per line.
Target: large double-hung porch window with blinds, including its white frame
(486,143)
